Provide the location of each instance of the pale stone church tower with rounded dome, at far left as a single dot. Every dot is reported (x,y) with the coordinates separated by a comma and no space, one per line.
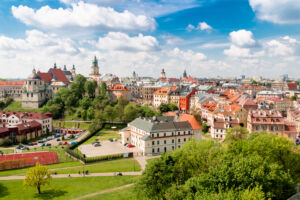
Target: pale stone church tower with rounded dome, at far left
(33,95)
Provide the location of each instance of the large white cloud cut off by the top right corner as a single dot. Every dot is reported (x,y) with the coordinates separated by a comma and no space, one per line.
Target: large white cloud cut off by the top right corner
(277,11)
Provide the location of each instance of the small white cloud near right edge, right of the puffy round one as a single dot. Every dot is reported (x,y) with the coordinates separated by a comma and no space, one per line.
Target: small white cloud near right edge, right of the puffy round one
(277,48)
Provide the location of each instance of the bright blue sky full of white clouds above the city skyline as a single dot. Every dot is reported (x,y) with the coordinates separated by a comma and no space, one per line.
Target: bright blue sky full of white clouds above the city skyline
(207,38)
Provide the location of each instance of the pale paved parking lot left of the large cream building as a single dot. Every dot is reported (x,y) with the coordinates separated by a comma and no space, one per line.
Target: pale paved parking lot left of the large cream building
(106,148)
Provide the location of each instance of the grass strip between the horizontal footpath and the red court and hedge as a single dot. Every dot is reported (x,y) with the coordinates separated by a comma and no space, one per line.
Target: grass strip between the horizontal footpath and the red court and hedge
(122,165)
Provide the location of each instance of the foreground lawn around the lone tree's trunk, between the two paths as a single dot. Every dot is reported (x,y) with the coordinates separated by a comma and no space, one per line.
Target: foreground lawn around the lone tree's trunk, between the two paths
(62,188)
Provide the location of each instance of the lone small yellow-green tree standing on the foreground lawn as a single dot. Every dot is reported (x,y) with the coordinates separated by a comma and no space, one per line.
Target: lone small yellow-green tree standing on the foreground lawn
(37,177)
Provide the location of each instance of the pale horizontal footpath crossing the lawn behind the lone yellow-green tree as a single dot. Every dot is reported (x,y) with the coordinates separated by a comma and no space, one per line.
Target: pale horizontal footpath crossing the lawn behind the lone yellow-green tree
(74,175)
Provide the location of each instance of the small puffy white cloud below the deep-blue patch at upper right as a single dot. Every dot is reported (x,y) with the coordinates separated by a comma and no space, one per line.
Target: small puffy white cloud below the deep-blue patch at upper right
(242,38)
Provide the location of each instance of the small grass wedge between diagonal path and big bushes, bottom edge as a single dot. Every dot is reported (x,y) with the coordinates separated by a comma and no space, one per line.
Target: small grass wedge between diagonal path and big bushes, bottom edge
(124,194)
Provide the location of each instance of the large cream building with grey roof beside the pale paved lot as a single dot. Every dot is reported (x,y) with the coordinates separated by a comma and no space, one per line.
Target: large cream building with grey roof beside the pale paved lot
(156,135)
